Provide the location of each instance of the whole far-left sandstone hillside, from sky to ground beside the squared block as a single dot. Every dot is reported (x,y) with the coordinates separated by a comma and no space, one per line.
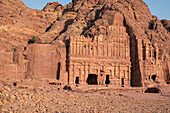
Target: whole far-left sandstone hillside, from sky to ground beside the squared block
(18,23)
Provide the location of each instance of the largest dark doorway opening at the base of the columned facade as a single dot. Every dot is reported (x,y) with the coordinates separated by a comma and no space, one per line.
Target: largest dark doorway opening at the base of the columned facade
(92,79)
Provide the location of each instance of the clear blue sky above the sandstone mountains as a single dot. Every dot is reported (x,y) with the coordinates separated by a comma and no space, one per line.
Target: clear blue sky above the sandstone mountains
(160,8)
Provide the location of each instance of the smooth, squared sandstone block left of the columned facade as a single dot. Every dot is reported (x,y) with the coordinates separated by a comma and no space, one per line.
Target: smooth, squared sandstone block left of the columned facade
(46,61)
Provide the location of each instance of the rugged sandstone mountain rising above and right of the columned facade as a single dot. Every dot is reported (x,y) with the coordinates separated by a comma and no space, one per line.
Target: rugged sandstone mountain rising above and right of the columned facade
(91,17)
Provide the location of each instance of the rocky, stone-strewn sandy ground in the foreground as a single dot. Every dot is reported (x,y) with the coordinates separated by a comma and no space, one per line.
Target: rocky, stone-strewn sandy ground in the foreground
(54,99)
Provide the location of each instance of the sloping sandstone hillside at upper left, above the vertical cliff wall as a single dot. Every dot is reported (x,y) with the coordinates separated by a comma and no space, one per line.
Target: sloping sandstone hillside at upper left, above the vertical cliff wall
(19,23)
